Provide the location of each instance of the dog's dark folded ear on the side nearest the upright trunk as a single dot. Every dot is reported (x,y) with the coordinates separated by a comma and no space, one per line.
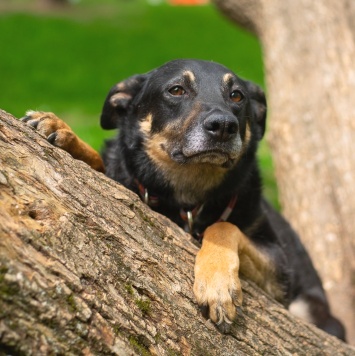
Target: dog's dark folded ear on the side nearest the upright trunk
(258,107)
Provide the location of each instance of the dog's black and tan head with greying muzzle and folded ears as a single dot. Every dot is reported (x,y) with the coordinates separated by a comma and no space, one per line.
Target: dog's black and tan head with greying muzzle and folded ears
(189,113)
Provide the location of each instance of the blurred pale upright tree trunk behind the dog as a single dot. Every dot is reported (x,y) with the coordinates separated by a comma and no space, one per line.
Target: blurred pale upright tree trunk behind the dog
(309,56)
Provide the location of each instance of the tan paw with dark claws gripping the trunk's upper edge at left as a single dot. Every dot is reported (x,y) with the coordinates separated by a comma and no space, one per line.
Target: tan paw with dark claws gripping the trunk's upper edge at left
(57,132)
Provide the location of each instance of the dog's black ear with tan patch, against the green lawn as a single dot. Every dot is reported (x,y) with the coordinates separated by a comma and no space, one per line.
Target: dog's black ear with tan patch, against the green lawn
(118,101)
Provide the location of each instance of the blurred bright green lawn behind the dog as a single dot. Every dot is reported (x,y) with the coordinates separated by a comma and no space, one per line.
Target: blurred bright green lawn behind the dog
(65,59)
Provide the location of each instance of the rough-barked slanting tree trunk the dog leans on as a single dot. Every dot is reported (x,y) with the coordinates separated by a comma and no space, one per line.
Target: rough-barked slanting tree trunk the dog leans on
(86,268)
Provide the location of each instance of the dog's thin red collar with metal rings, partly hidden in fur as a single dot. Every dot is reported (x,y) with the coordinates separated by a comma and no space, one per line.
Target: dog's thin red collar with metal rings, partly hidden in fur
(187,215)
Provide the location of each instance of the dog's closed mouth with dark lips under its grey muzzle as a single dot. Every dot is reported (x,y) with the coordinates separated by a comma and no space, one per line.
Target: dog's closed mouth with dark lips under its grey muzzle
(215,158)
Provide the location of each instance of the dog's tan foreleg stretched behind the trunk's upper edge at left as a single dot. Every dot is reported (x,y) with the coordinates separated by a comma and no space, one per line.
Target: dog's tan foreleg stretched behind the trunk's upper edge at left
(59,134)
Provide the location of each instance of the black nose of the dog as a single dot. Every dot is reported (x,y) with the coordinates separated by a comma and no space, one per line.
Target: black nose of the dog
(221,127)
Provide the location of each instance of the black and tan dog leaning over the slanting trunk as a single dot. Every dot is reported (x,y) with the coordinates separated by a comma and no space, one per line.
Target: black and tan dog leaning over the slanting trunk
(188,134)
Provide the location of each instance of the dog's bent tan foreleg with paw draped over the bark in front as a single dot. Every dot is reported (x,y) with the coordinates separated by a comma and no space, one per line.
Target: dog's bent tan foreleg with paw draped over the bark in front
(225,252)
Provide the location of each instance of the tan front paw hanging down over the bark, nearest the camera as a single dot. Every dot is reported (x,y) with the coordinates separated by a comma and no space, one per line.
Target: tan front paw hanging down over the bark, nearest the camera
(217,286)
